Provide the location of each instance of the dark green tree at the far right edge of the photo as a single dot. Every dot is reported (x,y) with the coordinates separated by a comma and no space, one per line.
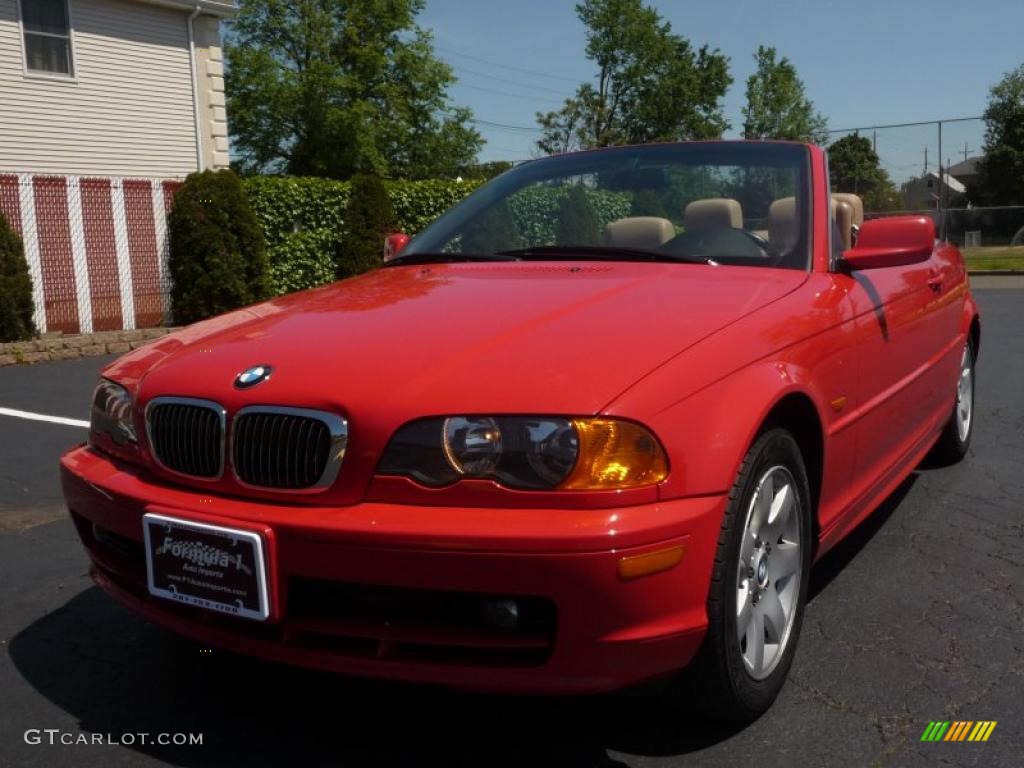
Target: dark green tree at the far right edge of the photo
(1002,169)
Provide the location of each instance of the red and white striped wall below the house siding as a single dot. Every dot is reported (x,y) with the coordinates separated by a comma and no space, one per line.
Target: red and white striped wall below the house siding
(97,249)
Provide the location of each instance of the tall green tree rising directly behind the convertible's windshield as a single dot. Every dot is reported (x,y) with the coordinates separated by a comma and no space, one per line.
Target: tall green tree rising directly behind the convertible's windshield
(652,86)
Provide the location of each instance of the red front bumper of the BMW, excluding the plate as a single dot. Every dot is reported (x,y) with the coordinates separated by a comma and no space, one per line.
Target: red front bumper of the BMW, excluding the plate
(381,571)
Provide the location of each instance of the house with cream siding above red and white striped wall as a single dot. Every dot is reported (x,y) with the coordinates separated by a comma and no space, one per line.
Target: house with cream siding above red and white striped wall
(105,107)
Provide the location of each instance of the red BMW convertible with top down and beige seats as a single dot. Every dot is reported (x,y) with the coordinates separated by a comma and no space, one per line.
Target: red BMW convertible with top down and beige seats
(590,428)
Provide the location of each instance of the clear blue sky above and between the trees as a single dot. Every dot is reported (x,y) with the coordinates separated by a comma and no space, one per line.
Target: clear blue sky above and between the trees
(864,63)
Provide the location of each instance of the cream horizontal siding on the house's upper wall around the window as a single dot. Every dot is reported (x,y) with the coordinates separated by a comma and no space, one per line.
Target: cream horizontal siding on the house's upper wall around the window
(129,111)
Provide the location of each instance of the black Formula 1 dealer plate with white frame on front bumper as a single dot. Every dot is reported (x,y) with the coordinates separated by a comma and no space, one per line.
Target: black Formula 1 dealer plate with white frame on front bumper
(211,567)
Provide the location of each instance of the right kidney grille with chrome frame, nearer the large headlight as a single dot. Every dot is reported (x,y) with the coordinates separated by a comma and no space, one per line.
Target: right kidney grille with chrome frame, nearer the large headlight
(287,449)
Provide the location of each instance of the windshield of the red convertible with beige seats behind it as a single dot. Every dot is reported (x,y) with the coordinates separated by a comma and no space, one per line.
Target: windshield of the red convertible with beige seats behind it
(728,203)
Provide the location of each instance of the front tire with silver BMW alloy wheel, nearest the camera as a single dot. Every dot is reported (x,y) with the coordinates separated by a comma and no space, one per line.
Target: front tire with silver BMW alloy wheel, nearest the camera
(735,686)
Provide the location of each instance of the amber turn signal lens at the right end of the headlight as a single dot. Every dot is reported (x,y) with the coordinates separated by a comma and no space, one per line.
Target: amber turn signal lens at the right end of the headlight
(616,455)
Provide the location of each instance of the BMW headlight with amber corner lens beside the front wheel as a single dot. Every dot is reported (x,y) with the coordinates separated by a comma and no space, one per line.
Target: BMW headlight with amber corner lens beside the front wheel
(528,453)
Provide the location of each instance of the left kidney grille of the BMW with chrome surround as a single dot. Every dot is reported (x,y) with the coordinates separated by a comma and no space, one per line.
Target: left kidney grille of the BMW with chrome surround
(187,436)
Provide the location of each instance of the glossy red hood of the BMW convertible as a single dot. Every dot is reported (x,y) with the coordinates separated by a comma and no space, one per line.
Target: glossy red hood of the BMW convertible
(527,337)
